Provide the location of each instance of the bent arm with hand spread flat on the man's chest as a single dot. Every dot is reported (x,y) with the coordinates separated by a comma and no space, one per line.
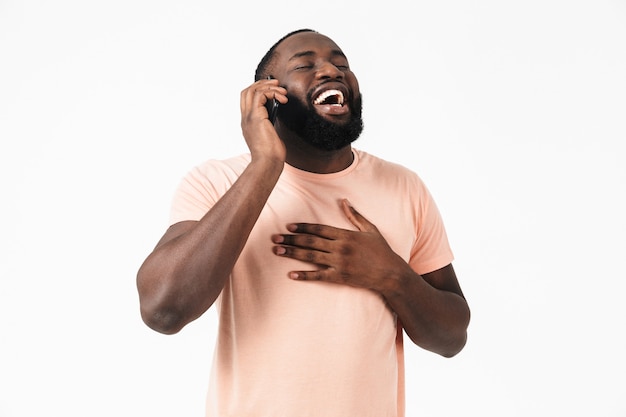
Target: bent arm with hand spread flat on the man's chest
(431,307)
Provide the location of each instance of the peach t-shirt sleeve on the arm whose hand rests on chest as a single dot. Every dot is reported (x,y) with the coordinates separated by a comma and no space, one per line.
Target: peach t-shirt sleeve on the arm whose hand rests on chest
(431,250)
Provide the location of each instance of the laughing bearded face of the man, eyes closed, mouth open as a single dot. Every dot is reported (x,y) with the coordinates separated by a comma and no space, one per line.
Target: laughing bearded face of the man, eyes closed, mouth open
(324,105)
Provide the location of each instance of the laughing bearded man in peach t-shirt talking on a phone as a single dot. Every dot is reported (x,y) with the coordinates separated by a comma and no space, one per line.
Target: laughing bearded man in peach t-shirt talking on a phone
(317,255)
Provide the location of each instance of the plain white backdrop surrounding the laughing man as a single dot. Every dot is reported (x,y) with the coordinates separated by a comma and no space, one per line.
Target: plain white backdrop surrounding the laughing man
(514,114)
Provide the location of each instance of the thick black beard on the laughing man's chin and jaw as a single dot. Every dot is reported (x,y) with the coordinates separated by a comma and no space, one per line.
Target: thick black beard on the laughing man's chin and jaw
(304,121)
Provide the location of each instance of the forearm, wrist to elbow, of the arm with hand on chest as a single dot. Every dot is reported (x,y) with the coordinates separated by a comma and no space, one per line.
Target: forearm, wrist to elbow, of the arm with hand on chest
(434,319)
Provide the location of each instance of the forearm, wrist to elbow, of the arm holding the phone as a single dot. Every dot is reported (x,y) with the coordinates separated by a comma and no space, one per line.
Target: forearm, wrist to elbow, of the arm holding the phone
(186,272)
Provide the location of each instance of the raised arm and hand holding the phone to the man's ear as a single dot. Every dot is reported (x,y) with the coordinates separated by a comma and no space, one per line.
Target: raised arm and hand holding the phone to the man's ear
(187,270)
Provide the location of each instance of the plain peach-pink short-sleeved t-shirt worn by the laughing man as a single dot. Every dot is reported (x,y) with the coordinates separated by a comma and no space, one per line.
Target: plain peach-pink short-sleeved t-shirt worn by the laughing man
(312,349)
